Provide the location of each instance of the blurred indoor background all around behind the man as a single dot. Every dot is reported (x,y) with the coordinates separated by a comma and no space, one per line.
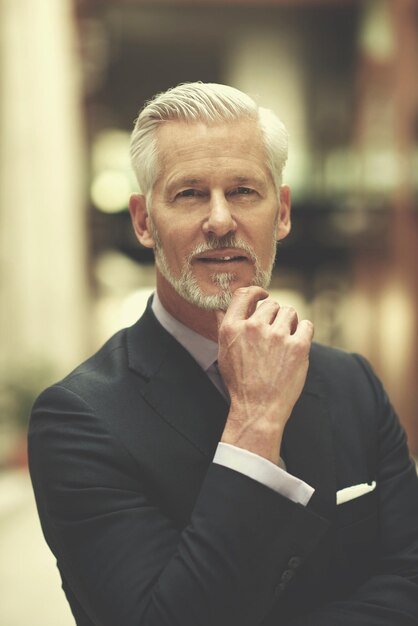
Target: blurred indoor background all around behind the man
(343,76)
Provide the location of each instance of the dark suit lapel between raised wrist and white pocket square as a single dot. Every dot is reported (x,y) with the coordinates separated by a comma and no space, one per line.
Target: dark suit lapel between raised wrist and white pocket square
(308,446)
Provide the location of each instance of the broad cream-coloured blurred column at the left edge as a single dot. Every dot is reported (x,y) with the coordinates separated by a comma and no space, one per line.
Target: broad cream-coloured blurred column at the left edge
(43,287)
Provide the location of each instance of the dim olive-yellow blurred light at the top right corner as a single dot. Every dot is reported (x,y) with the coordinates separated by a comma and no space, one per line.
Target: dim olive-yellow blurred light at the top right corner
(376,37)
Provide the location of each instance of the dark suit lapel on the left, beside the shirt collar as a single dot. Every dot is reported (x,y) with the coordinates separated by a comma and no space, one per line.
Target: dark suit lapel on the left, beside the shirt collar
(175,386)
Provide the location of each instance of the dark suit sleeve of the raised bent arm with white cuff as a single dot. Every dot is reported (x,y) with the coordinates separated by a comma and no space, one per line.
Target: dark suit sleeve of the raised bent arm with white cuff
(124,562)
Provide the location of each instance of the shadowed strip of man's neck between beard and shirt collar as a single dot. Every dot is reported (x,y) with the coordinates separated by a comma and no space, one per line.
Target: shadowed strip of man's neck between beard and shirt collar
(199,320)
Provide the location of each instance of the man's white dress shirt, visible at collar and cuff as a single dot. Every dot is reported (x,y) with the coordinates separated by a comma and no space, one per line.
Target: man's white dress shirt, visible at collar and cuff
(205,352)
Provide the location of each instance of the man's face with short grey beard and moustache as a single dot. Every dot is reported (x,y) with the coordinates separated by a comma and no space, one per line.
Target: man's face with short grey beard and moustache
(215,214)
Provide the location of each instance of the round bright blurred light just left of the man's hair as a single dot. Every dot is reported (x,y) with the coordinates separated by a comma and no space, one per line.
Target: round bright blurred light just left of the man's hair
(110,191)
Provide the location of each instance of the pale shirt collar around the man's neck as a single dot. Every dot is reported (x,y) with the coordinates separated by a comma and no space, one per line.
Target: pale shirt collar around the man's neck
(203,350)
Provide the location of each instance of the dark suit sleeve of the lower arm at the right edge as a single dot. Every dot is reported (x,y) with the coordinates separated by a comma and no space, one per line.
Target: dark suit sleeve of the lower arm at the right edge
(390,596)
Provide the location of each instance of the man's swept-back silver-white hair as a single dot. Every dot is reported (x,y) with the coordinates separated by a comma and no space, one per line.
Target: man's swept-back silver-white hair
(209,103)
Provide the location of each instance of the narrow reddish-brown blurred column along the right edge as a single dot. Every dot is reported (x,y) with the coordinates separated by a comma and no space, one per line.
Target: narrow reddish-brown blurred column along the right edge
(405,215)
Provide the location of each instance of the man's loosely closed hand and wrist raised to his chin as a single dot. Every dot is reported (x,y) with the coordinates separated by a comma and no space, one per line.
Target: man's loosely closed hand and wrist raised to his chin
(263,359)
